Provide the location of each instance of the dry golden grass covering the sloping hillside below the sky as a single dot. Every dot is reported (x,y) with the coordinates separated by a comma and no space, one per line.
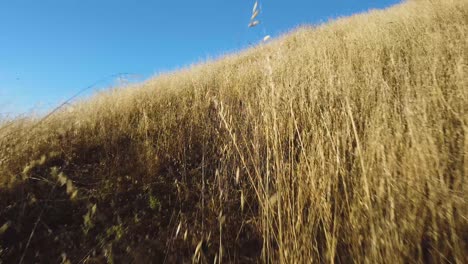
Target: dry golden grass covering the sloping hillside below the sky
(340,143)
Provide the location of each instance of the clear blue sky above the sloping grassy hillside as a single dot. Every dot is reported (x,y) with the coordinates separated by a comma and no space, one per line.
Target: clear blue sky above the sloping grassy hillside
(51,49)
